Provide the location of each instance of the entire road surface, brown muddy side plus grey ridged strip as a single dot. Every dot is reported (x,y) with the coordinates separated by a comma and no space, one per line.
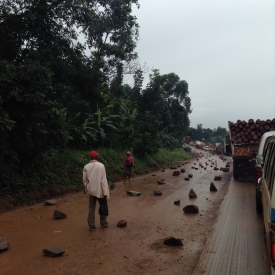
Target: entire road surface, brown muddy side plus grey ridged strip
(212,244)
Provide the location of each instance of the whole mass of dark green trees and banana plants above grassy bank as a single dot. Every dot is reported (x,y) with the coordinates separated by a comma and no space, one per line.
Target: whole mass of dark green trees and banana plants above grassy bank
(61,84)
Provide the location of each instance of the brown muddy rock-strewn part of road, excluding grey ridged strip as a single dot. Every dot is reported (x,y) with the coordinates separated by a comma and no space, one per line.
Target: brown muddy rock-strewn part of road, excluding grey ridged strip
(135,249)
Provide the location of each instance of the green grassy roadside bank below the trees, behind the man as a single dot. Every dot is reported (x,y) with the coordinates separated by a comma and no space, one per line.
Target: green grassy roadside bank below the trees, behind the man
(61,172)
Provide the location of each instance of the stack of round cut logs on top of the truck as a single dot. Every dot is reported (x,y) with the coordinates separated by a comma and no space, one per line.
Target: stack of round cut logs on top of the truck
(250,131)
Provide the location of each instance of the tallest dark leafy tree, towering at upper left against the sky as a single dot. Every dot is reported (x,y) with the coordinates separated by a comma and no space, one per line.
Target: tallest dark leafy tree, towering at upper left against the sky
(47,79)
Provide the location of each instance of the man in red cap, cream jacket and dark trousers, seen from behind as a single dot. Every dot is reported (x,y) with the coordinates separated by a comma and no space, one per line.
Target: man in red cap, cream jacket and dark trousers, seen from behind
(96,185)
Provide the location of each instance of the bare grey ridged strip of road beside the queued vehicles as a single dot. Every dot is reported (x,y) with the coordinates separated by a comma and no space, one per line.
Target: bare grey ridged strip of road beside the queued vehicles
(237,245)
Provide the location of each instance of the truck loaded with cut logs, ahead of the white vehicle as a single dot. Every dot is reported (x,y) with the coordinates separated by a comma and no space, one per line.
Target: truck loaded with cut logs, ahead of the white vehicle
(244,141)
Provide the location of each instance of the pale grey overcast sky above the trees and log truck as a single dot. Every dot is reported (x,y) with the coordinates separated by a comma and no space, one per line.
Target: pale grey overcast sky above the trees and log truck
(224,49)
